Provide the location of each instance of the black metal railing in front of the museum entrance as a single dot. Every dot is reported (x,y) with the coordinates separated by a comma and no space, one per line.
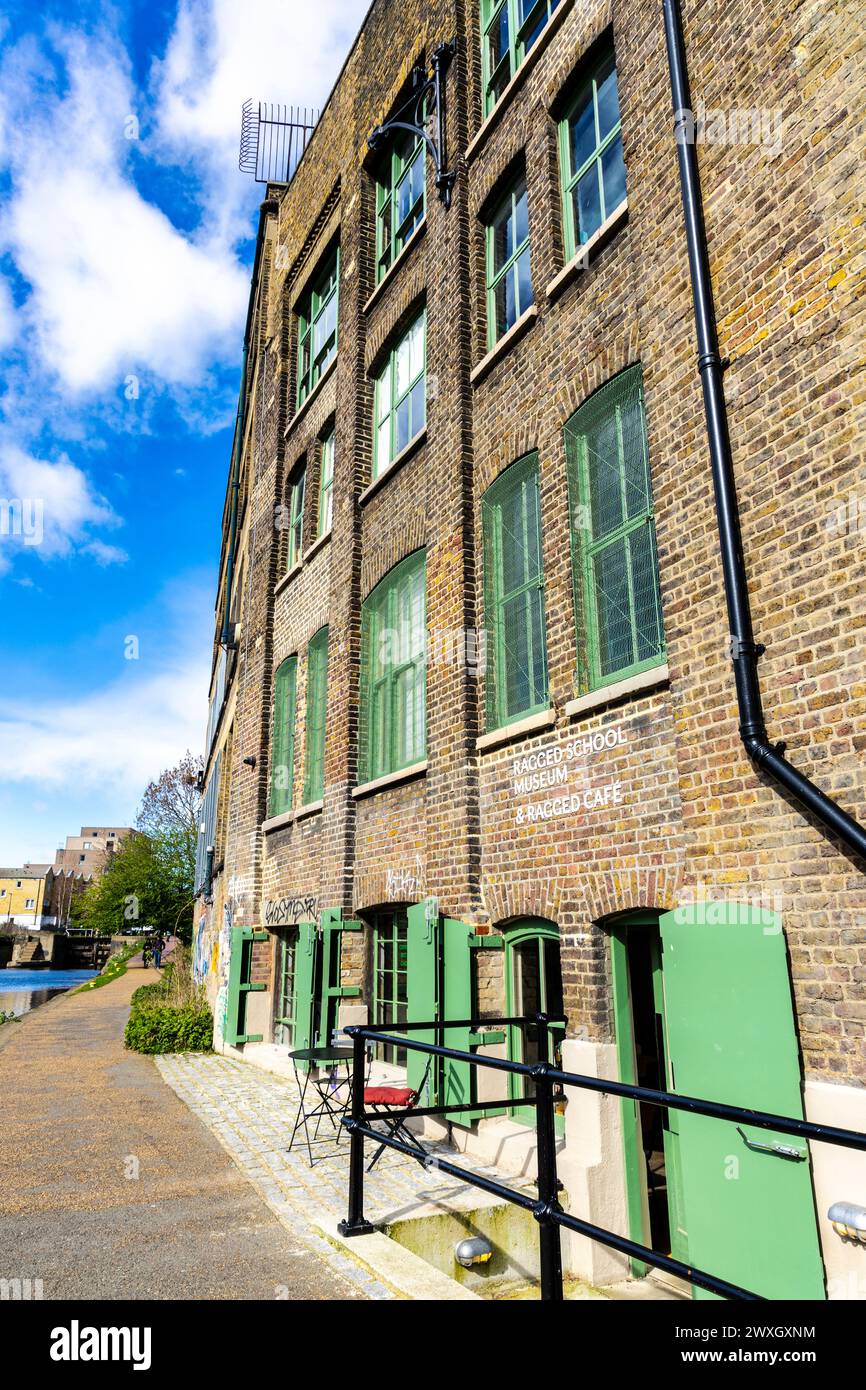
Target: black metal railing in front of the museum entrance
(546,1207)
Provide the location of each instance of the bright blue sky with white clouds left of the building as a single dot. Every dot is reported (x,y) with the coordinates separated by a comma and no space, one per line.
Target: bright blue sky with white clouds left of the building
(127,237)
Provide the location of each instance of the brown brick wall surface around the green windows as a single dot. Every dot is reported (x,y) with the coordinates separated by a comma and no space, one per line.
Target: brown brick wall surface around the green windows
(694,815)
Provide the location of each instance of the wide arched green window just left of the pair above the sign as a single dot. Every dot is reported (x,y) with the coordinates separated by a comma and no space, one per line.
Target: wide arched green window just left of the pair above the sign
(394,672)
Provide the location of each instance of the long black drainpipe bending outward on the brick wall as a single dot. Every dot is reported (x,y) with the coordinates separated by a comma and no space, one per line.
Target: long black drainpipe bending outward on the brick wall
(744,650)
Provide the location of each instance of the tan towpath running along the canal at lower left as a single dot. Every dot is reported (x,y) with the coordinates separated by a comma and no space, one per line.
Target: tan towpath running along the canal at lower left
(113,1189)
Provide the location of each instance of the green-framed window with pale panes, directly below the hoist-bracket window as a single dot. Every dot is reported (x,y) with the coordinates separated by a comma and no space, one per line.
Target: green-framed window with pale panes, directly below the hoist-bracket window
(401,397)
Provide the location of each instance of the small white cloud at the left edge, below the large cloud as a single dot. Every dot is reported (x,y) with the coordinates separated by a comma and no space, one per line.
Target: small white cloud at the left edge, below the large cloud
(52,509)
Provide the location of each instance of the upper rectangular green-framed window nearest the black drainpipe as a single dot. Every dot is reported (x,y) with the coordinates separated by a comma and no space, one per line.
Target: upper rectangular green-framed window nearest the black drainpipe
(591,156)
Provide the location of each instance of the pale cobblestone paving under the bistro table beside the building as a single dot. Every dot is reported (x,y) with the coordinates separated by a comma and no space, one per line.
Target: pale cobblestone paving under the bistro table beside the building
(252,1113)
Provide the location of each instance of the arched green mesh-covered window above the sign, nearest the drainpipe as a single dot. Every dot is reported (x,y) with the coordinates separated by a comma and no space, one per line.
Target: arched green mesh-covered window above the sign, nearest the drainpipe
(614,536)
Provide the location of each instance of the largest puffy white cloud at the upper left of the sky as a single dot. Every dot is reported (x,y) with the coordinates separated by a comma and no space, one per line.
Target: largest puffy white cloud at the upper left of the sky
(116,288)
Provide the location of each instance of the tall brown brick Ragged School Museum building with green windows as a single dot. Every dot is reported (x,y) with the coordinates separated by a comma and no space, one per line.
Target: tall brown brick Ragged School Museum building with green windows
(475,736)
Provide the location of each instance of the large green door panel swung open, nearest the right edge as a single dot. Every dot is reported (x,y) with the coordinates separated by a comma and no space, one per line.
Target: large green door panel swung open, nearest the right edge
(749,1216)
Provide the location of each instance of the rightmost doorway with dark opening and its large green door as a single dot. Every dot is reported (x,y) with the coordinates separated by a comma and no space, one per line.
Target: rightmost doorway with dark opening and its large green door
(715,1021)
